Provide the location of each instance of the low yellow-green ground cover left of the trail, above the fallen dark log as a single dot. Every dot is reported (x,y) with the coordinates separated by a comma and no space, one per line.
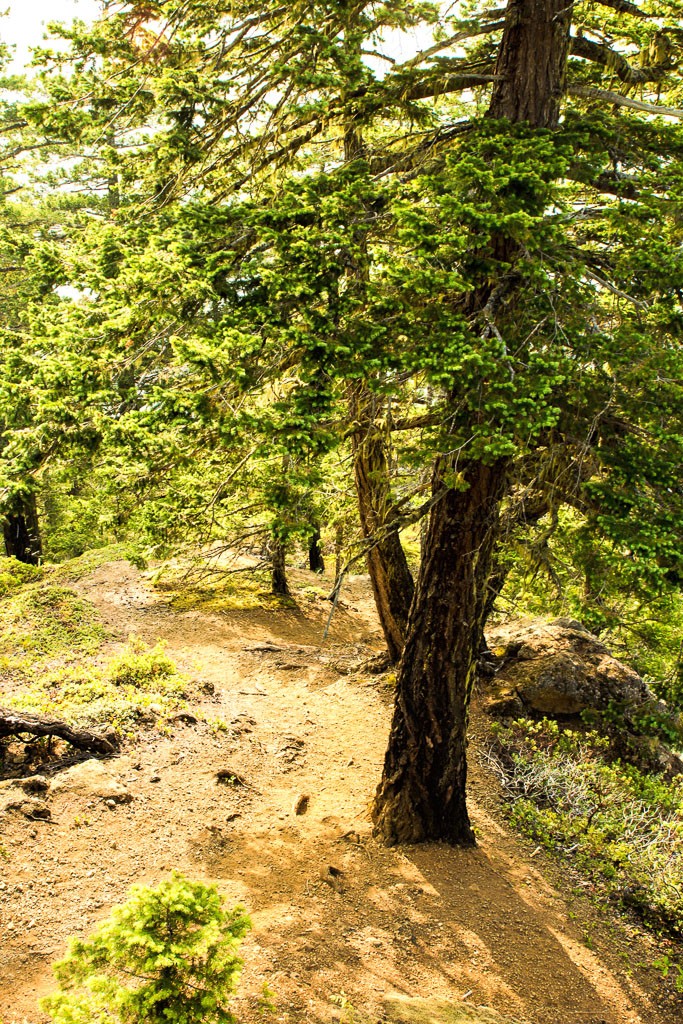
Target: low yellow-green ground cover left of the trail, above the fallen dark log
(52,654)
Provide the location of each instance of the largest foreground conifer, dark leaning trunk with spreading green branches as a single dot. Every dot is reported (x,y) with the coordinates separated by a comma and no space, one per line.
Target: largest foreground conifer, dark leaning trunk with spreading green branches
(495,279)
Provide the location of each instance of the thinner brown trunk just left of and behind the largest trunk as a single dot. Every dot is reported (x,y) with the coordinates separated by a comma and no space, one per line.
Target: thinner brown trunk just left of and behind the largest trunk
(390,574)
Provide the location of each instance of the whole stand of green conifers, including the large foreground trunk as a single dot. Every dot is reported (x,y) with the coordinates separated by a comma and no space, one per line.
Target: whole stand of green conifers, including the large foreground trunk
(271,286)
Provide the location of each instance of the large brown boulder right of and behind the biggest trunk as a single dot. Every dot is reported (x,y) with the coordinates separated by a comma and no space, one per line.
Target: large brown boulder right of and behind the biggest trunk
(561,669)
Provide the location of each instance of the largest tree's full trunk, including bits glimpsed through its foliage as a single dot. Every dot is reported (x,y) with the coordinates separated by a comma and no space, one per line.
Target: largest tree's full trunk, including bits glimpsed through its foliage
(422,794)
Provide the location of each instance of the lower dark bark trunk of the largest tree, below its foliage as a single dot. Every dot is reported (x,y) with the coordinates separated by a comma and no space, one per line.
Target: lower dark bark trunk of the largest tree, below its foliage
(422,794)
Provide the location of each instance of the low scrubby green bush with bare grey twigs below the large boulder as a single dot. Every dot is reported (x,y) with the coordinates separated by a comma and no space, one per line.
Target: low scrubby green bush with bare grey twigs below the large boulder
(621,827)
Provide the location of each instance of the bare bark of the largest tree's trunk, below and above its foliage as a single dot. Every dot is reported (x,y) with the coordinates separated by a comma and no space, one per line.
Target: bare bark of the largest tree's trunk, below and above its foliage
(422,792)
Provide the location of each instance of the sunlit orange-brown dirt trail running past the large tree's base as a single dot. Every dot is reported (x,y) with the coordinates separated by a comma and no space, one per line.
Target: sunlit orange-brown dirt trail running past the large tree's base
(483,925)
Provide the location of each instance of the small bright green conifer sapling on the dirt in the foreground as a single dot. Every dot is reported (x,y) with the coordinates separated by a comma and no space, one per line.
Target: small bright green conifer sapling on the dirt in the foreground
(167,956)
